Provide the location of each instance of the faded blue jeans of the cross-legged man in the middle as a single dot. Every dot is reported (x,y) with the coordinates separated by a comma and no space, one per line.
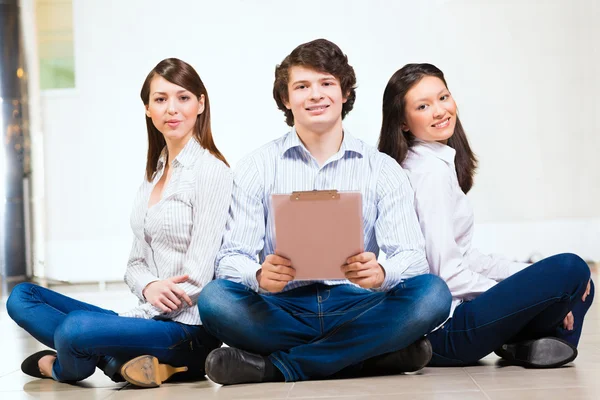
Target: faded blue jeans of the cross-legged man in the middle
(317,330)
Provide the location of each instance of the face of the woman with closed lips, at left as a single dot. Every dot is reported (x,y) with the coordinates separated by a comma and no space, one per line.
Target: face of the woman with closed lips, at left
(173,109)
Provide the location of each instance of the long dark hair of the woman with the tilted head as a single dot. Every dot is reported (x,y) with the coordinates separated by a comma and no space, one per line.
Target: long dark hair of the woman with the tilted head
(396,143)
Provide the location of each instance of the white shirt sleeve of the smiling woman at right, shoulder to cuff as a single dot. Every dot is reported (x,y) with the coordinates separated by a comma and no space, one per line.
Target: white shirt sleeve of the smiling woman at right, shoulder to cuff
(435,204)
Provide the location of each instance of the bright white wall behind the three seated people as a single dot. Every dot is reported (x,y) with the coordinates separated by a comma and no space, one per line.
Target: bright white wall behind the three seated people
(521,71)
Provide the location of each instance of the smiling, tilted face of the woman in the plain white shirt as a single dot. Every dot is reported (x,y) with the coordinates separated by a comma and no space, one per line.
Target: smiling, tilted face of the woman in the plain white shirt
(430,111)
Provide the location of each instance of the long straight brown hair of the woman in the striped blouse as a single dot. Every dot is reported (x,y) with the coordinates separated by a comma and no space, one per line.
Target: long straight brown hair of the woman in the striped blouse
(181,74)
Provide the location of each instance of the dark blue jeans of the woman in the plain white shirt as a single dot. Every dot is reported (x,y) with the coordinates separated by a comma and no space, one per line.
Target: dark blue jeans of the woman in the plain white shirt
(528,305)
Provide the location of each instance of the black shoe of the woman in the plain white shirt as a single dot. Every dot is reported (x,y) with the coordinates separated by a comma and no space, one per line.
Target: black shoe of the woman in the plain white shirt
(547,352)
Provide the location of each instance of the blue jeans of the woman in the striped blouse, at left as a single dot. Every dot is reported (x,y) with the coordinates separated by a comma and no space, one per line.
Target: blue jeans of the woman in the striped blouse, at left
(85,336)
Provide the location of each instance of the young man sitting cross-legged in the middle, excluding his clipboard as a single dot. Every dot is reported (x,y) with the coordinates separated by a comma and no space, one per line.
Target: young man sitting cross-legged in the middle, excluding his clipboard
(282,329)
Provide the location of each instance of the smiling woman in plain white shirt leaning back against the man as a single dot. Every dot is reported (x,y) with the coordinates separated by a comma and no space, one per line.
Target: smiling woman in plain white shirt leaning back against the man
(530,315)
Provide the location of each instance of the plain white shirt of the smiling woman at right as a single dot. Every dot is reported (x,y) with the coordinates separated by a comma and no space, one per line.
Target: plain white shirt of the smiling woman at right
(446,219)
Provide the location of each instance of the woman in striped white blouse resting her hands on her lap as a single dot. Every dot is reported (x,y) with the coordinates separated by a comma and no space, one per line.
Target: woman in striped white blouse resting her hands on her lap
(178,220)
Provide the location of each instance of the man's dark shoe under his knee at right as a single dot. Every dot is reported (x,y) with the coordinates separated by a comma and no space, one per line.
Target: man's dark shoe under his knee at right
(408,359)
